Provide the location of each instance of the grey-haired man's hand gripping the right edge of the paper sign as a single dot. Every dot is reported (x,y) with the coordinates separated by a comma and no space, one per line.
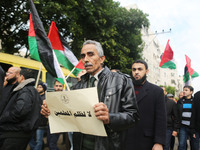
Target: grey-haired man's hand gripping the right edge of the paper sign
(101,112)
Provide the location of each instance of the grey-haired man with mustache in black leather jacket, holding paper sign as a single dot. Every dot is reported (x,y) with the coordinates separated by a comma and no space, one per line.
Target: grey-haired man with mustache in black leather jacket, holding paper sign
(117,107)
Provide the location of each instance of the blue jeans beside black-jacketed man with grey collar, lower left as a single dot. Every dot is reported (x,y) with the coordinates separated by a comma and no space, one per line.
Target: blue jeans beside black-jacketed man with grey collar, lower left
(37,144)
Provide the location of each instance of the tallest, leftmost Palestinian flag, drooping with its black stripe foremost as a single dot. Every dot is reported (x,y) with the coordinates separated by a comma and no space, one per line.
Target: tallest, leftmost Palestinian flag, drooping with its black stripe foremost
(45,50)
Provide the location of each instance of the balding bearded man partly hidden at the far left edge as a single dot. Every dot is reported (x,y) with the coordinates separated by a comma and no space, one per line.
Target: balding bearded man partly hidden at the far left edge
(11,77)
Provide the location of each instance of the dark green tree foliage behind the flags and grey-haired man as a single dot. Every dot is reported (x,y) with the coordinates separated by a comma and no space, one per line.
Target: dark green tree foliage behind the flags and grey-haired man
(116,28)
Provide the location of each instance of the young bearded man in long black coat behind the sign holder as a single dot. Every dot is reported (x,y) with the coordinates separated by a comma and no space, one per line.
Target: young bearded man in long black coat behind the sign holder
(150,132)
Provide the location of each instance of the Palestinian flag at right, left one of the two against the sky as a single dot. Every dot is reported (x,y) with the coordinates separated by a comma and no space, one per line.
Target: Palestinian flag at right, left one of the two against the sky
(167,60)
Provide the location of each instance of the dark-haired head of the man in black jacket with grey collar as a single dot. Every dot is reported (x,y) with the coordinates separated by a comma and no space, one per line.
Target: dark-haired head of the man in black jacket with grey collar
(25,74)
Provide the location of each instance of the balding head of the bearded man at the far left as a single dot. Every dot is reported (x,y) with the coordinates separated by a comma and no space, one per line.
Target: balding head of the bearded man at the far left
(12,75)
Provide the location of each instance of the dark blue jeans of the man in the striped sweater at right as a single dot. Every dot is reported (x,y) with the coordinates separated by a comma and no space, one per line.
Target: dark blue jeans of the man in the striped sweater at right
(183,134)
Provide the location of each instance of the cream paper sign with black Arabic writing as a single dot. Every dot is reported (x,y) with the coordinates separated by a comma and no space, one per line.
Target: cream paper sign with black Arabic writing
(72,111)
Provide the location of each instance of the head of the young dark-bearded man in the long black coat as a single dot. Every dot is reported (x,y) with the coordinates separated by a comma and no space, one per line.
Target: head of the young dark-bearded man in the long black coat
(139,72)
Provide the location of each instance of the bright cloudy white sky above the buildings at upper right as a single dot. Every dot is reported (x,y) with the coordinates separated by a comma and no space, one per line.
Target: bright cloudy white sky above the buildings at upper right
(183,18)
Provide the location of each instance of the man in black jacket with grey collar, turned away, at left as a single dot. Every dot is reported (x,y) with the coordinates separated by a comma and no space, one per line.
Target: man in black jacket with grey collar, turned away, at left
(19,117)
